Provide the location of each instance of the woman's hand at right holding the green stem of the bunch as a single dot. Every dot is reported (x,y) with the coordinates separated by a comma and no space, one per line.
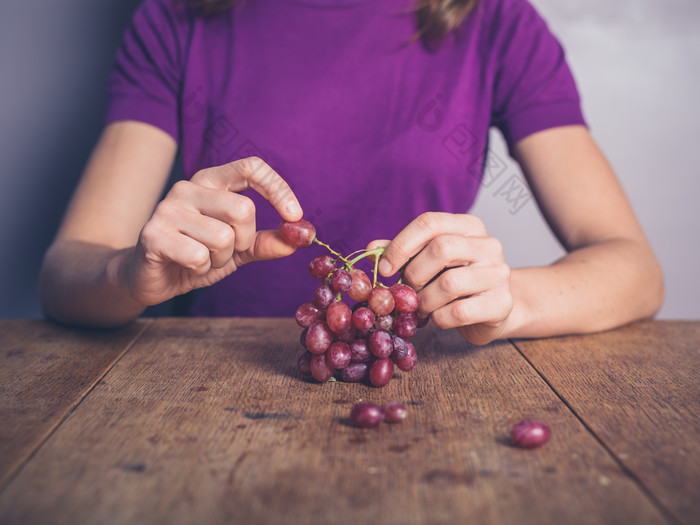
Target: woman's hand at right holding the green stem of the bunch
(458,270)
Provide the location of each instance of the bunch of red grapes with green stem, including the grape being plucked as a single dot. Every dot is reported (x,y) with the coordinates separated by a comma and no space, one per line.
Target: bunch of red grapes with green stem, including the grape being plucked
(365,341)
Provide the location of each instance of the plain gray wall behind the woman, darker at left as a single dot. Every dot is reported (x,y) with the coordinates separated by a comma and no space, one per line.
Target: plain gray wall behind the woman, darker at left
(637,63)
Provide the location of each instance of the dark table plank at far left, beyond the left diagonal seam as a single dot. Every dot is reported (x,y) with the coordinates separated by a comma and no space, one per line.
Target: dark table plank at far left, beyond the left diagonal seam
(45,370)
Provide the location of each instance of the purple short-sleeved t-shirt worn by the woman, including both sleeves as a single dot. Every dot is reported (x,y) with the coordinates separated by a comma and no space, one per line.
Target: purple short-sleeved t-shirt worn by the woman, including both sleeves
(368,129)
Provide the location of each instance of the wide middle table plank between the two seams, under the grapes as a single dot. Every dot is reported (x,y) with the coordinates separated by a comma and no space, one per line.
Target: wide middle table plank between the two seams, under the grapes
(207,421)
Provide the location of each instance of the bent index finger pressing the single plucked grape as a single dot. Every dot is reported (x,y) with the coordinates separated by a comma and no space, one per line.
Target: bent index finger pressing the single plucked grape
(255,173)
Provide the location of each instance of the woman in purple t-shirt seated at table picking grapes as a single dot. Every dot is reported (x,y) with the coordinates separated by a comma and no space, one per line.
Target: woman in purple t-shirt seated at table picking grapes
(375,116)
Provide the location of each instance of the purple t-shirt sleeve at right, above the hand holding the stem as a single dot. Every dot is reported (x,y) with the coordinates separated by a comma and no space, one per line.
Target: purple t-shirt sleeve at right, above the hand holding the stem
(534,88)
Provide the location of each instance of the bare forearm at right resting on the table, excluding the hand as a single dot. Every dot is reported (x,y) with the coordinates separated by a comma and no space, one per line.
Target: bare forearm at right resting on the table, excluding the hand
(594,288)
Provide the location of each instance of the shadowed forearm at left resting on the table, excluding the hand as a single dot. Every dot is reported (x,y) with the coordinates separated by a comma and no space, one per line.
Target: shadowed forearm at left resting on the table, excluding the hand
(81,283)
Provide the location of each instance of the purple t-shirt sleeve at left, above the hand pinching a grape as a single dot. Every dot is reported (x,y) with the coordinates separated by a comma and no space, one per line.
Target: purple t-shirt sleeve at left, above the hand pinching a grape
(145,82)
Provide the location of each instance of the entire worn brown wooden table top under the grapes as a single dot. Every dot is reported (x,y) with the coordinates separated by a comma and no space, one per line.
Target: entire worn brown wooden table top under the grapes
(207,421)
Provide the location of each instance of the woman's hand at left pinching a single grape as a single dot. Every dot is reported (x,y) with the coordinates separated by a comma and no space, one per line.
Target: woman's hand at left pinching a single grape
(204,230)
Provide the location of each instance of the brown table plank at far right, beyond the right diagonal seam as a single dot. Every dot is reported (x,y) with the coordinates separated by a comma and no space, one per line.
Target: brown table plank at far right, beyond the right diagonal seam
(638,389)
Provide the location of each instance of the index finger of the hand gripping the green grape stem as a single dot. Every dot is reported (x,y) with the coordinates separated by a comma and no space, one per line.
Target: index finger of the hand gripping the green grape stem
(420,231)
